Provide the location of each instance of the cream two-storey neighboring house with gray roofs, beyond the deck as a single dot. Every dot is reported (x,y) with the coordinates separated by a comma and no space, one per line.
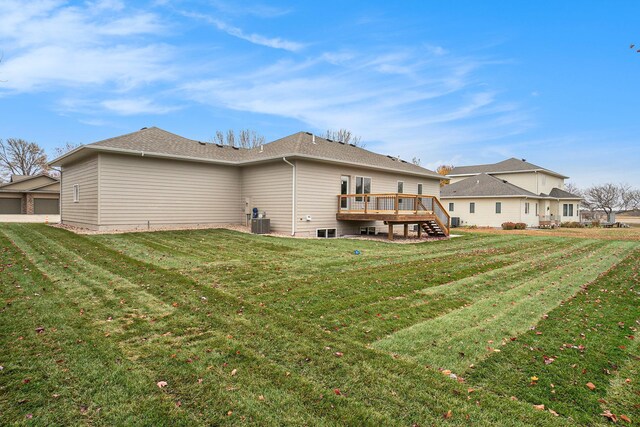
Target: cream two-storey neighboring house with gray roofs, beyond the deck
(509,191)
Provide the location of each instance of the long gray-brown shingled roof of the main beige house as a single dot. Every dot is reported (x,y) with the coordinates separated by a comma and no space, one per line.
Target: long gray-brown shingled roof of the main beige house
(155,141)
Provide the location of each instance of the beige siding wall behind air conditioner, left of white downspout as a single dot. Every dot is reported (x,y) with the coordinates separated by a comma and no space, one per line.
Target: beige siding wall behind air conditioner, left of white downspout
(269,186)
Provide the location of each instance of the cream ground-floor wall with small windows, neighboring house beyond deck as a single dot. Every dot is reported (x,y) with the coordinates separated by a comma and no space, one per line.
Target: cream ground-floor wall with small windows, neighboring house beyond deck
(513,210)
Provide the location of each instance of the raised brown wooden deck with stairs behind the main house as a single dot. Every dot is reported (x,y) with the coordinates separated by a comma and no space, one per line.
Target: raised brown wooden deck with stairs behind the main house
(396,208)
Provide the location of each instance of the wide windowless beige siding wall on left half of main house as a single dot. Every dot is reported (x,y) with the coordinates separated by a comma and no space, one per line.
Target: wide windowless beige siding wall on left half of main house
(139,191)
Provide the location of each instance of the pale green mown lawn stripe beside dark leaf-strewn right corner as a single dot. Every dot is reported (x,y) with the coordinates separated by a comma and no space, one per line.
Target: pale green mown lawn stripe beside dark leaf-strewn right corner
(465,336)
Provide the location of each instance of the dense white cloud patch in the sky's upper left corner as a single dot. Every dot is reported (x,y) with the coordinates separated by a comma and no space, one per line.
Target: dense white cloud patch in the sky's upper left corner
(51,45)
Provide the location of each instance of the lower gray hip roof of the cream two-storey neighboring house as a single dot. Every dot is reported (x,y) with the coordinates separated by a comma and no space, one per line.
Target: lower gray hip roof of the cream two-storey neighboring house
(483,185)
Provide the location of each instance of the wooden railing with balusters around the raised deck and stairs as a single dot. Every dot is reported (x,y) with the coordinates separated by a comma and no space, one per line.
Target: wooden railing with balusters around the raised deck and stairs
(393,204)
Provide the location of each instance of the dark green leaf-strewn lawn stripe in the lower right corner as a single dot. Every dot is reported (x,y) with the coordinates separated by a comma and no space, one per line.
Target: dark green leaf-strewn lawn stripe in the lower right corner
(591,338)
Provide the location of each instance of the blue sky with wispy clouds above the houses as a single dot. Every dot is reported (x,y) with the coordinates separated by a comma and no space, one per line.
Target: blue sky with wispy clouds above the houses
(460,82)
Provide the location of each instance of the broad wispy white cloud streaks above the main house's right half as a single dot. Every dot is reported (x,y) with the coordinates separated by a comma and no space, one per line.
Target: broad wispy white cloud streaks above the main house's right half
(403,102)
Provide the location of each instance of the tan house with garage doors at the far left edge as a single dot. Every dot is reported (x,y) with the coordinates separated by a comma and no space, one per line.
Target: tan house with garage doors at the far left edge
(30,194)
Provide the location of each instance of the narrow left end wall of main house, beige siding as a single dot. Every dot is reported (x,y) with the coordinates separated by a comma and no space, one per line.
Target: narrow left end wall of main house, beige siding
(84,213)
